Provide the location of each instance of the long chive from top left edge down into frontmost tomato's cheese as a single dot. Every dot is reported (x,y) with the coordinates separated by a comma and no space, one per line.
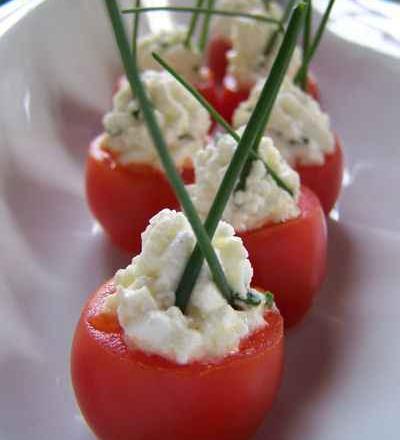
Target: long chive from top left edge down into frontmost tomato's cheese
(132,73)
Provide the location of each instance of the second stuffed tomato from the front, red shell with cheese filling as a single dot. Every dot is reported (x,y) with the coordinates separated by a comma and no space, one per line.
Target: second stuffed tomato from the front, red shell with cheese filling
(281,223)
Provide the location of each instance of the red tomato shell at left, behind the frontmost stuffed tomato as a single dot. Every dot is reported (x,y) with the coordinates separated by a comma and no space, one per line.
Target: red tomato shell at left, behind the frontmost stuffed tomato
(124,198)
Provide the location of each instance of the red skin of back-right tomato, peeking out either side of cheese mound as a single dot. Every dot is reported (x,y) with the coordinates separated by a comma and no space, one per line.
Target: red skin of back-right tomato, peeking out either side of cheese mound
(233,94)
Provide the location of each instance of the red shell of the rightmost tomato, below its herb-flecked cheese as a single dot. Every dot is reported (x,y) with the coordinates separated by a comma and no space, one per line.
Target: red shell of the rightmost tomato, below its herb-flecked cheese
(325,180)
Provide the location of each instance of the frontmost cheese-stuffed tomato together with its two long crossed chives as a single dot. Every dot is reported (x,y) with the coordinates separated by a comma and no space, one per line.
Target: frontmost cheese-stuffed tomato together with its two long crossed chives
(179,344)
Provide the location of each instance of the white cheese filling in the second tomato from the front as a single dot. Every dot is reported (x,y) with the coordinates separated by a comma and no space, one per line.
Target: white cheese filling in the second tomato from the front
(261,200)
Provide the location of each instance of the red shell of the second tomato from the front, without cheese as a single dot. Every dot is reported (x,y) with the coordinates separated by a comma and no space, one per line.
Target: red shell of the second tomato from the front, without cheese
(289,259)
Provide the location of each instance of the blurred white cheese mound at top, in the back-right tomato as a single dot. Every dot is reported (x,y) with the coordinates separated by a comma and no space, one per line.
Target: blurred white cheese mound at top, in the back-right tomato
(247,60)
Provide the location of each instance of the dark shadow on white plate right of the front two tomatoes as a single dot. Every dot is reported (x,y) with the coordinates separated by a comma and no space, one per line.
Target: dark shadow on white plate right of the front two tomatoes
(311,348)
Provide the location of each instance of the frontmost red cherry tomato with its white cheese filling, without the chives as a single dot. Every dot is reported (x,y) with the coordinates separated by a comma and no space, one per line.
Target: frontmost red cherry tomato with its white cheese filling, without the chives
(142,369)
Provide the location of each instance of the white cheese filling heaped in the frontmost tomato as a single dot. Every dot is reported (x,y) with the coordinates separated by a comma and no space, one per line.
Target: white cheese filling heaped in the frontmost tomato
(144,298)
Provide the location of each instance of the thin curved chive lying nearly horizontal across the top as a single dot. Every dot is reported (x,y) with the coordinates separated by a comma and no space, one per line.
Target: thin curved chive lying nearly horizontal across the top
(256,17)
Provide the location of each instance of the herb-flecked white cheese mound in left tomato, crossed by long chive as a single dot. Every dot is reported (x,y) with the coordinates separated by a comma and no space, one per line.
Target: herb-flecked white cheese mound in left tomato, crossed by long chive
(183,121)
